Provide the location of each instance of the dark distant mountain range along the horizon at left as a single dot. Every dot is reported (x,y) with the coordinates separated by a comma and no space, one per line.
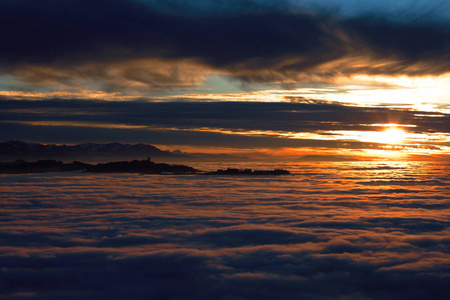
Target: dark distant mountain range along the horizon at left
(92,152)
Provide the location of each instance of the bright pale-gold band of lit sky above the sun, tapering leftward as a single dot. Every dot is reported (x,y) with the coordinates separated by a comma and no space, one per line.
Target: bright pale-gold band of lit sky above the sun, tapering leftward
(420,93)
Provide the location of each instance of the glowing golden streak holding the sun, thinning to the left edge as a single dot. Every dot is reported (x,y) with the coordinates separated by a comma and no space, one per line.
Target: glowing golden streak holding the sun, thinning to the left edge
(390,140)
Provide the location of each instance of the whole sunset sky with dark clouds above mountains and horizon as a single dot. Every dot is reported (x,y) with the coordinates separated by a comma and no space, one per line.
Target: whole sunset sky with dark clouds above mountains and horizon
(349,78)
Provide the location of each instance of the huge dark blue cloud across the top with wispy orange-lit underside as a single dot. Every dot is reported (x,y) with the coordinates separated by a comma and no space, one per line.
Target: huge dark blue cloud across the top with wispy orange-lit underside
(107,41)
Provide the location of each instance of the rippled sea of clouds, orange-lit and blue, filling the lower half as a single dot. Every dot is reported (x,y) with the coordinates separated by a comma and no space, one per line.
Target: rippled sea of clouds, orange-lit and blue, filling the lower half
(328,231)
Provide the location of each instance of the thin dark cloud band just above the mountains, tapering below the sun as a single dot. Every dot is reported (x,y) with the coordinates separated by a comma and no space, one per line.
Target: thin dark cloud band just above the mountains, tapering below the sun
(69,134)
